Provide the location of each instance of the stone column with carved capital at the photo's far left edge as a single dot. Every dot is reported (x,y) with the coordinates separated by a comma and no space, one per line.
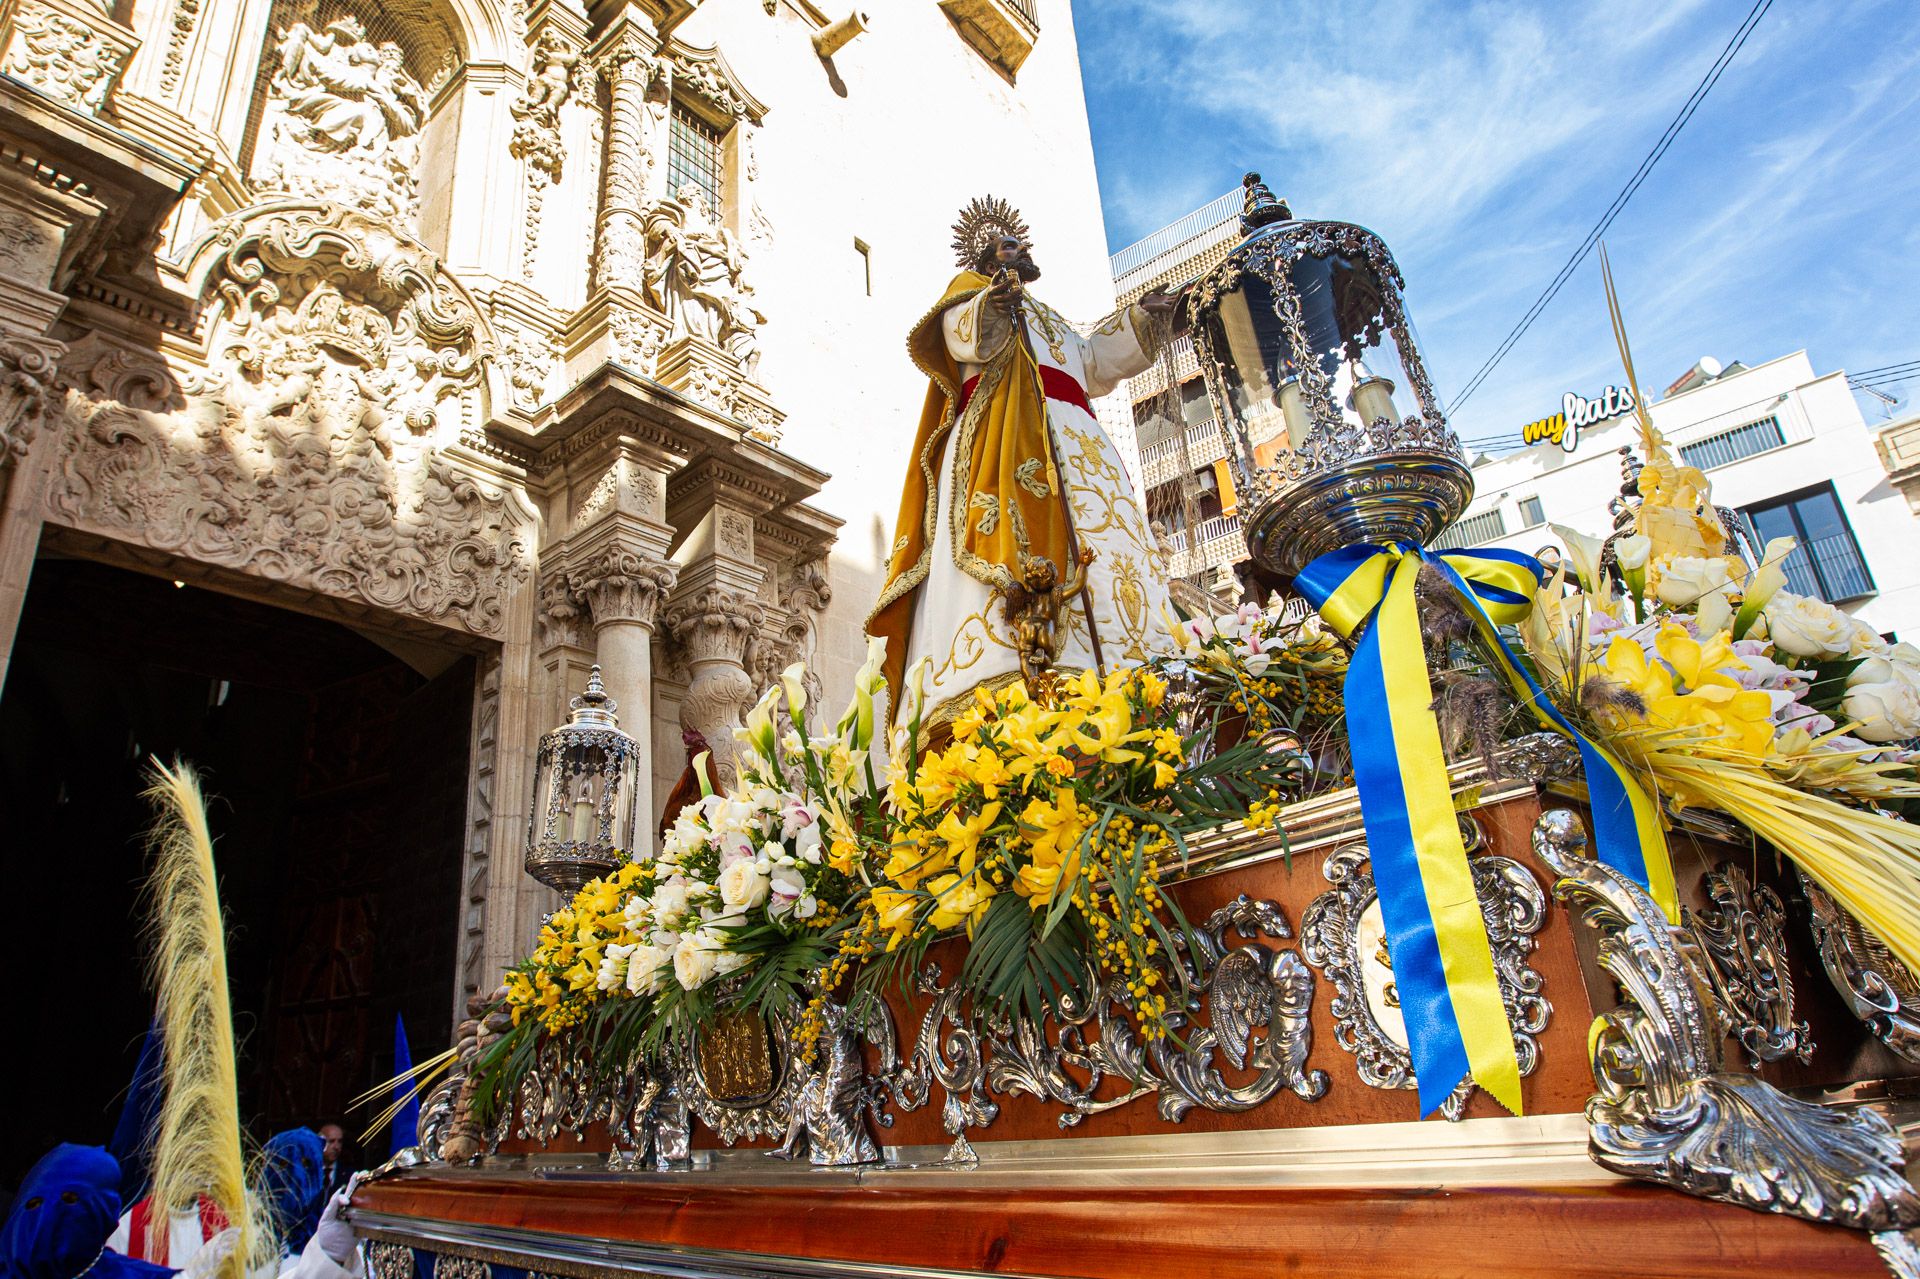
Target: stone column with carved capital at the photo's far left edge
(28,368)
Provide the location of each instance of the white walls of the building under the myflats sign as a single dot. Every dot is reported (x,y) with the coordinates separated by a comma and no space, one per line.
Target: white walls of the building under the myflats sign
(1827,439)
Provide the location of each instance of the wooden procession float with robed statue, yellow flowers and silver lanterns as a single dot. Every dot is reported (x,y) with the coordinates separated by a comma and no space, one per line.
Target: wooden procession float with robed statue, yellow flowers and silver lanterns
(1433,913)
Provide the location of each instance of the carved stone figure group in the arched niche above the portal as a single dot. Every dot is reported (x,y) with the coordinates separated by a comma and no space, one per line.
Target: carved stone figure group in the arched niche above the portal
(343,122)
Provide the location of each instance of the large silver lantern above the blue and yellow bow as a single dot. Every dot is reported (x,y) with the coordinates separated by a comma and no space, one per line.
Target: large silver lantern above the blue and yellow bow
(1332,423)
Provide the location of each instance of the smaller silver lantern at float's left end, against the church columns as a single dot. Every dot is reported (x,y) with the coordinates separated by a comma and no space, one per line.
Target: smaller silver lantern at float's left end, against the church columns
(587,784)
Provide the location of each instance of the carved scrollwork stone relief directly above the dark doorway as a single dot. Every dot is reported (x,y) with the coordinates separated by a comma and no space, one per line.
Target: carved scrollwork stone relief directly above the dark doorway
(308,450)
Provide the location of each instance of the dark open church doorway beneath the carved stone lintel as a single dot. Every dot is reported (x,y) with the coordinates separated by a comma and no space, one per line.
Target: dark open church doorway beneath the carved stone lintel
(339,781)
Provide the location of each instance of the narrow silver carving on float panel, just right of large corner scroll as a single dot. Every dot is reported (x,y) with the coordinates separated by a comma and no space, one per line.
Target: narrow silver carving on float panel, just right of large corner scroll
(1748,965)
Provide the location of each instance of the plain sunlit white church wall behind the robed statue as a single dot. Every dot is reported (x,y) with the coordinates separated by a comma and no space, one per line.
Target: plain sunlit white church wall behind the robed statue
(909,126)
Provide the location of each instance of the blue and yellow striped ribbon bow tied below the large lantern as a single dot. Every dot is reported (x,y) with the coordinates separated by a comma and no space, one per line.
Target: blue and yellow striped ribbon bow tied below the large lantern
(1435,930)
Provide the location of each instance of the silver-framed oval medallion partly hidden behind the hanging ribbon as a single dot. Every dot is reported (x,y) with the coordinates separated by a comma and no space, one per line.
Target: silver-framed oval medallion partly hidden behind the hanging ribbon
(1345,936)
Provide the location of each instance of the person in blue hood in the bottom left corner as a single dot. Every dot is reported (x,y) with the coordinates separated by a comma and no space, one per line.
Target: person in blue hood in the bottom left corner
(62,1220)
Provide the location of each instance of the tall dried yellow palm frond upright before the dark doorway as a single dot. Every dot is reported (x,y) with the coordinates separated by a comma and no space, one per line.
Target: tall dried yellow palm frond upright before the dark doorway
(199,1147)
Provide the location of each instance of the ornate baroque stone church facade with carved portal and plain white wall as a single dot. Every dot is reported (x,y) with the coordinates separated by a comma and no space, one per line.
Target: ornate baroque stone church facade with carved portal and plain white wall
(529,333)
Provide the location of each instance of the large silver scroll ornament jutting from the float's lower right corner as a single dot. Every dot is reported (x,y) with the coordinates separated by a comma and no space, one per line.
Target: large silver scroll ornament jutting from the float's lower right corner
(1668,1111)
